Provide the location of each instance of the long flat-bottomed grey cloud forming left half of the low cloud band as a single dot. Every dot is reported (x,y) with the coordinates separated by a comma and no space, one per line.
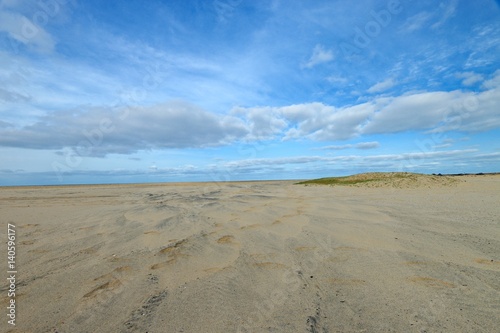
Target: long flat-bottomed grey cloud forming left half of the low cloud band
(100,131)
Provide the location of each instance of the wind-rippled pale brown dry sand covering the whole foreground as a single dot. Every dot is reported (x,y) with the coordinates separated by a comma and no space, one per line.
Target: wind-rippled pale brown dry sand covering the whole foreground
(255,257)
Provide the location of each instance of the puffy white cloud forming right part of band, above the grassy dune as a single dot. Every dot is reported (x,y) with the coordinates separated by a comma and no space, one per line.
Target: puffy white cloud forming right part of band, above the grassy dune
(433,111)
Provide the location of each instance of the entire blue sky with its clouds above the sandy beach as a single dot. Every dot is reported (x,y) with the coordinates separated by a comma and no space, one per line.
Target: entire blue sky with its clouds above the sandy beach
(200,90)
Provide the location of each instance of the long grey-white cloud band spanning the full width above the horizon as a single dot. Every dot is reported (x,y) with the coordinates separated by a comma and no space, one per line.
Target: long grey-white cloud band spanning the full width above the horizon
(101,131)
